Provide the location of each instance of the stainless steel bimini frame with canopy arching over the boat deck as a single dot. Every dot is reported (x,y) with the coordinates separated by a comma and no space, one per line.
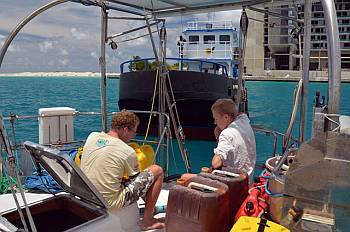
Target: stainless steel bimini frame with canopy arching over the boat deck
(150,9)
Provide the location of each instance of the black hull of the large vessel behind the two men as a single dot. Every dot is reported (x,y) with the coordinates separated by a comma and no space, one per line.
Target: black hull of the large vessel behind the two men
(194,92)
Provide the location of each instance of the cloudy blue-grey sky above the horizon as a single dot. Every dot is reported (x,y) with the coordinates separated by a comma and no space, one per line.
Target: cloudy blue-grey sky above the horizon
(67,37)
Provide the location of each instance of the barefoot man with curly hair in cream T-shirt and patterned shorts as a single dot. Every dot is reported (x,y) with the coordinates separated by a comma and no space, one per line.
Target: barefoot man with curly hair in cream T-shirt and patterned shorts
(107,158)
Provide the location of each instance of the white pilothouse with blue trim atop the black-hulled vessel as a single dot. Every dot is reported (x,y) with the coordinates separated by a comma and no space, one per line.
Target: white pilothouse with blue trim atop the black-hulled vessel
(214,41)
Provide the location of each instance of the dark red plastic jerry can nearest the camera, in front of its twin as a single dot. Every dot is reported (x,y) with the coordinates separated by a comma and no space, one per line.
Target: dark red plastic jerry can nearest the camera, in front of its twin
(202,206)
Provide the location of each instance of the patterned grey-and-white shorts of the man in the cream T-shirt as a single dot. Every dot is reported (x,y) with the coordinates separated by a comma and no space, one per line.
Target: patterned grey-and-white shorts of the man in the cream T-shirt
(138,187)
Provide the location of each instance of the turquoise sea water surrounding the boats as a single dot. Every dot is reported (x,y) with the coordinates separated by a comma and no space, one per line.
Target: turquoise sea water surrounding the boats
(269,104)
